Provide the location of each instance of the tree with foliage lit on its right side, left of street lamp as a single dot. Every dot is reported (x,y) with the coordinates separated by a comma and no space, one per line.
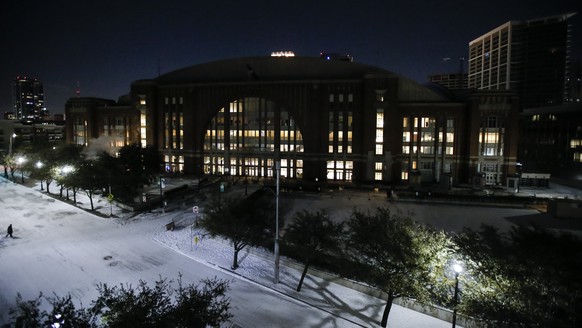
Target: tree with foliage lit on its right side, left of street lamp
(395,254)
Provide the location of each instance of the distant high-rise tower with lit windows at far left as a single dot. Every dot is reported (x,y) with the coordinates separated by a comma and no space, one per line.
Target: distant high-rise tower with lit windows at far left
(28,98)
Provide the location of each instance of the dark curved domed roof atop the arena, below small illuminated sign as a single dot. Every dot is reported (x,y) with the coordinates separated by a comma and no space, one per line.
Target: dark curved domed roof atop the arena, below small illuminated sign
(269,69)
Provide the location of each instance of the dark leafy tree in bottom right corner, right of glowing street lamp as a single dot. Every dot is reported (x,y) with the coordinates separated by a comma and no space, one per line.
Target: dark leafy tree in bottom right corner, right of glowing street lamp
(527,276)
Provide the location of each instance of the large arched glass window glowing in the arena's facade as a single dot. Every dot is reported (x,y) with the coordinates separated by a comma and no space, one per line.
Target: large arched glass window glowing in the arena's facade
(248,136)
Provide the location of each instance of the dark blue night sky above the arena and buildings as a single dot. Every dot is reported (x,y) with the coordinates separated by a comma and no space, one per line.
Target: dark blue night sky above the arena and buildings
(107,44)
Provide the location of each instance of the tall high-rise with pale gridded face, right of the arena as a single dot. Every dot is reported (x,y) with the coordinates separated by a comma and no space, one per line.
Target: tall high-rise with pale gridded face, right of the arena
(530,58)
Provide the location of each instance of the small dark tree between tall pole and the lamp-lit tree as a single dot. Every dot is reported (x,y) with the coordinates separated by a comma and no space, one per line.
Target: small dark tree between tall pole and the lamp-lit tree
(310,236)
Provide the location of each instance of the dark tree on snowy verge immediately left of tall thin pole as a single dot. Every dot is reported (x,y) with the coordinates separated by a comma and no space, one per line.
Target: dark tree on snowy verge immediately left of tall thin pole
(244,222)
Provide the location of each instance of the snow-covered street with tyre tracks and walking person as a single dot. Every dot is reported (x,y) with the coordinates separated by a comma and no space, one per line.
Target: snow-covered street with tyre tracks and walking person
(59,249)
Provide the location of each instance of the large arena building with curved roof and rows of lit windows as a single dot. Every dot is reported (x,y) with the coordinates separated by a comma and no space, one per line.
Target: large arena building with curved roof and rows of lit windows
(322,120)
